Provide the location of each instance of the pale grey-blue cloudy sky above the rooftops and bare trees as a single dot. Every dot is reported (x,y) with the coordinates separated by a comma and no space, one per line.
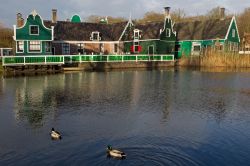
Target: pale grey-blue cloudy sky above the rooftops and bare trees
(123,8)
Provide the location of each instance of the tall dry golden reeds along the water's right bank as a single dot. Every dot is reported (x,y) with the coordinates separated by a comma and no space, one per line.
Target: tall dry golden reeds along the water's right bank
(217,60)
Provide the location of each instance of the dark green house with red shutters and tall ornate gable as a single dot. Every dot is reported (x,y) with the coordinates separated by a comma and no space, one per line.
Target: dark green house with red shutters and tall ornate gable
(151,38)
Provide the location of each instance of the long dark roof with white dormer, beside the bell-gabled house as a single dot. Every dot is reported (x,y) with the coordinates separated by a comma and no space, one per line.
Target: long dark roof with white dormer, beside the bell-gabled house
(64,30)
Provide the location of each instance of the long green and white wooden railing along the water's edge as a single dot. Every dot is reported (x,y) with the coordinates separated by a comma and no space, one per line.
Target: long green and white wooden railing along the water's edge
(63,59)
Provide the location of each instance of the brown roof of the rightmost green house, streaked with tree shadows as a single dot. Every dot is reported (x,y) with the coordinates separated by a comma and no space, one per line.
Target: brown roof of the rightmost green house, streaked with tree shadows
(202,30)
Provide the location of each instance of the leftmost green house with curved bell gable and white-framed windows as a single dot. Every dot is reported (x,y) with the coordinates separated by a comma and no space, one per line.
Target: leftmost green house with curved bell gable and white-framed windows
(33,37)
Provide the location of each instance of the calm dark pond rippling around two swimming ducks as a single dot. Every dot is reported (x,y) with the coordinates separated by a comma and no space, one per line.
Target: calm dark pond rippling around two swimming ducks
(157,117)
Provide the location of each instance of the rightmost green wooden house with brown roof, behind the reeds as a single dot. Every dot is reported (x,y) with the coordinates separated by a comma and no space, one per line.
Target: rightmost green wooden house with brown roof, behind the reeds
(200,37)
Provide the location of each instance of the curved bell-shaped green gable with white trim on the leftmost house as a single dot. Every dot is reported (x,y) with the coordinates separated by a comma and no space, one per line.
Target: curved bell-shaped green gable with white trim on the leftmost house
(33,20)
